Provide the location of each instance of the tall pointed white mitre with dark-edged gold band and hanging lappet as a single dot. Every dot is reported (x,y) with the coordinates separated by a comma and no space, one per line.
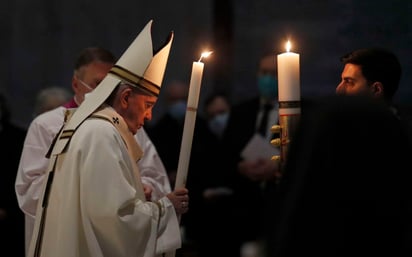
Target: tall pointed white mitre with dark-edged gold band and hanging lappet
(139,66)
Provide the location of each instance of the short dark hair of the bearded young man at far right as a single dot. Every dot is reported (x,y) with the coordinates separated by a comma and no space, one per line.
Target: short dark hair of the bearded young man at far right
(377,64)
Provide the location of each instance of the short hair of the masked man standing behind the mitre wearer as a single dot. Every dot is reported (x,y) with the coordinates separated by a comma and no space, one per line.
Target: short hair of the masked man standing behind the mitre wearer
(93,54)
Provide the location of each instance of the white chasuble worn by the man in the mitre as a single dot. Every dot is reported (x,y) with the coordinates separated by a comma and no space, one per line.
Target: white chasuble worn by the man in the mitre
(96,204)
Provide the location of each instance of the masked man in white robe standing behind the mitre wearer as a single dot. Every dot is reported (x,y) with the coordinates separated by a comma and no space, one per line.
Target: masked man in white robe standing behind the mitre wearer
(90,67)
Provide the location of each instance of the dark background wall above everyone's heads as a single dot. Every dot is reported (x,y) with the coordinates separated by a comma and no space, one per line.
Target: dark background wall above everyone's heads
(40,40)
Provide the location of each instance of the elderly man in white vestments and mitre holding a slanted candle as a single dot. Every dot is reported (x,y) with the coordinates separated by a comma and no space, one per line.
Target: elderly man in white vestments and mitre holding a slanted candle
(94,203)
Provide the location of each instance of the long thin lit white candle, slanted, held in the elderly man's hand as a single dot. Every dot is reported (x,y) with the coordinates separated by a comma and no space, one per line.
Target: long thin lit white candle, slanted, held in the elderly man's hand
(190,119)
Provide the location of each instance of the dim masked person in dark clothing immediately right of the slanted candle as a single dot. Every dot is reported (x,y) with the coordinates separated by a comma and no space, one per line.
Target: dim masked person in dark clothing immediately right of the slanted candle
(216,194)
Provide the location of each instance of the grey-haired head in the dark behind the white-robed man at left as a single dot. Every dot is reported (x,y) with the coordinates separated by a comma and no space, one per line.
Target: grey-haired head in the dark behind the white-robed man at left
(49,98)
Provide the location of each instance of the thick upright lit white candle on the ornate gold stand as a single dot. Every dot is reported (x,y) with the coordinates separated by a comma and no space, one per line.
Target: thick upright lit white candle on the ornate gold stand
(288,76)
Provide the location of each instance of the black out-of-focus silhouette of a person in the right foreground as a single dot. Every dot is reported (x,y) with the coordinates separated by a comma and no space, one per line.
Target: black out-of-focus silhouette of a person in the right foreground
(346,186)
